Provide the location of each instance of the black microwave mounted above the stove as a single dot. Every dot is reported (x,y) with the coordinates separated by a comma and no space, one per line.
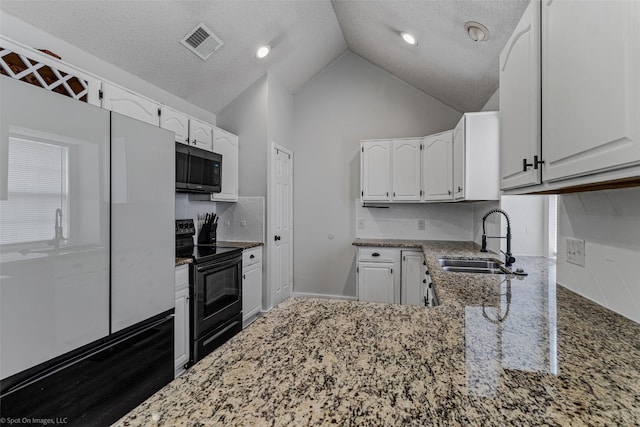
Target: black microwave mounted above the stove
(197,170)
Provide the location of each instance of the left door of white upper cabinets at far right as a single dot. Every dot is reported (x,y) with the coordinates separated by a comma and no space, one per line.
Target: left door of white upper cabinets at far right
(520,102)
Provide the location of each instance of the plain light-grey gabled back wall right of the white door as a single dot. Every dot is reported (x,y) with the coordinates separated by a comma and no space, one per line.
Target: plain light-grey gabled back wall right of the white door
(349,100)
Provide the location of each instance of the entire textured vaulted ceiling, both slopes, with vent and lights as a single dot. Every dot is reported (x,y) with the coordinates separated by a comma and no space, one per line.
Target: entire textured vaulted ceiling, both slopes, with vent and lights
(142,37)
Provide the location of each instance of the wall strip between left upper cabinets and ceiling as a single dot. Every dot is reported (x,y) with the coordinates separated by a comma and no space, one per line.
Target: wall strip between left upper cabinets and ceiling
(21,32)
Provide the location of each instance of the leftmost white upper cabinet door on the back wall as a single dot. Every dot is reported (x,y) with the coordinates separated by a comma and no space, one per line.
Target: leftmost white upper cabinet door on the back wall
(376,171)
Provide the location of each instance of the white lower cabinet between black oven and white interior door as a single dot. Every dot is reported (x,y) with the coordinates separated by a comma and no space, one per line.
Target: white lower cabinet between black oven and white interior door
(251,285)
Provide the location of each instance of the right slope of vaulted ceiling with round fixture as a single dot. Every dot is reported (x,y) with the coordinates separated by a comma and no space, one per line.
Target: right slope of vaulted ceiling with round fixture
(446,63)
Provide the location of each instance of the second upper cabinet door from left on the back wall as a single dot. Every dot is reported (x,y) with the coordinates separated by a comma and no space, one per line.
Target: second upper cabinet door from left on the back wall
(406,169)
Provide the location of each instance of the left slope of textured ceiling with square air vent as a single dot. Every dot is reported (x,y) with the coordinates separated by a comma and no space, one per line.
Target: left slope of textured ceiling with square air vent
(142,37)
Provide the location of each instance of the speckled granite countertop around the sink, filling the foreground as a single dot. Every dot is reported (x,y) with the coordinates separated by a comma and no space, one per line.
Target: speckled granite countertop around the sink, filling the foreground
(499,350)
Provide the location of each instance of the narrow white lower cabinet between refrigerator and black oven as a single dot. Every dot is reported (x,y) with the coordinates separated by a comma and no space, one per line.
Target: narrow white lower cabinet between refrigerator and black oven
(181,319)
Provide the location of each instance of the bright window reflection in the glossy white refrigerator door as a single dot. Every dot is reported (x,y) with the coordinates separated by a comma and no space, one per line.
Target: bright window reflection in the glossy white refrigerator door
(37,185)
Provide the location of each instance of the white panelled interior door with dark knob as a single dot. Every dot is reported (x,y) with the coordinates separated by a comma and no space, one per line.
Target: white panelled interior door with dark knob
(281,195)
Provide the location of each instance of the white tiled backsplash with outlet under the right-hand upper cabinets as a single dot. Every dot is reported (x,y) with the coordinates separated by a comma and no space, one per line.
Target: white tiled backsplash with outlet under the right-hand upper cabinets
(609,223)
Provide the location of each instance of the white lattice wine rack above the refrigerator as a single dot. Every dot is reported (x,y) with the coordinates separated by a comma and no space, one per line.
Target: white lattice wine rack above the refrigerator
(21,68)
